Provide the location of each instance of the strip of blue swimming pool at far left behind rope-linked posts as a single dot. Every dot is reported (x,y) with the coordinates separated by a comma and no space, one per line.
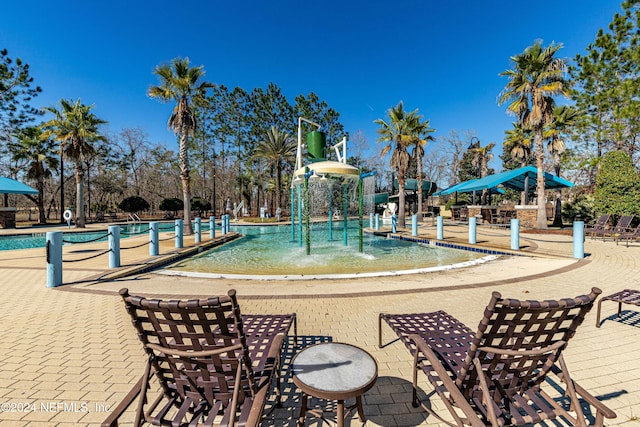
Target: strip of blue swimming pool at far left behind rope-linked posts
(39,240)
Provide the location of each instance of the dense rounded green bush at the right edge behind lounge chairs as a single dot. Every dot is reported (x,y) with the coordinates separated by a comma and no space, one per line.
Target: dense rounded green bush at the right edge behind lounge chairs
(617,186)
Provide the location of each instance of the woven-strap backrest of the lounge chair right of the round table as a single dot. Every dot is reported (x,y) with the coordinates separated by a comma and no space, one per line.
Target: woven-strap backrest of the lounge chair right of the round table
(517,342)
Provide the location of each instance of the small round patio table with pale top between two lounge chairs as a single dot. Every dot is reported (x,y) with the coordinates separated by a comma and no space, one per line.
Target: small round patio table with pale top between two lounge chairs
(334,371)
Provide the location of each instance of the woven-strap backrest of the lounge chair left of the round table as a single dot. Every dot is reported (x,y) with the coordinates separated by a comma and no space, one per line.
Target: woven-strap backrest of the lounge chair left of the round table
(194,327)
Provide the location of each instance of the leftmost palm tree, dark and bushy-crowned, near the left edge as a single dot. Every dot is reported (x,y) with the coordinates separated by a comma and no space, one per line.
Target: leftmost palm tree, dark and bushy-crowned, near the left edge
(40,155)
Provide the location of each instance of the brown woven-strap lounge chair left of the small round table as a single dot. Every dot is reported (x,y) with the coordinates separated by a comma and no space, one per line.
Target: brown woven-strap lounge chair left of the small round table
(213,366)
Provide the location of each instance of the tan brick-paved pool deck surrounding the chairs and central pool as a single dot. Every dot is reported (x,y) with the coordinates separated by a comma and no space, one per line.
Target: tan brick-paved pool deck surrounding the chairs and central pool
(71,351)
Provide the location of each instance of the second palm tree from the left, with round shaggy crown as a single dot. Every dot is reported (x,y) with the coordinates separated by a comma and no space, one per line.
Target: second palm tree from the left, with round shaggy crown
(75,127)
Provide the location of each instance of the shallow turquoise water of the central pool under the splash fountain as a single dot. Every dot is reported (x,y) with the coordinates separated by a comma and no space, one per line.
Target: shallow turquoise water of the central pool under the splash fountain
(268,251)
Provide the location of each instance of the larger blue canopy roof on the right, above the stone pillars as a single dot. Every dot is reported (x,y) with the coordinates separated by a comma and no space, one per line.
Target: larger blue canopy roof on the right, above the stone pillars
(515,179)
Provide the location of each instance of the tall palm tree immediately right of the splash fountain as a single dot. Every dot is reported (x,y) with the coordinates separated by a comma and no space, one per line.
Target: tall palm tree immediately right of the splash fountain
(397,133)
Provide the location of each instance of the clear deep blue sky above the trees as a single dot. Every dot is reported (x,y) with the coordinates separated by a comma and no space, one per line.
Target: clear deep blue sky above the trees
(442,57)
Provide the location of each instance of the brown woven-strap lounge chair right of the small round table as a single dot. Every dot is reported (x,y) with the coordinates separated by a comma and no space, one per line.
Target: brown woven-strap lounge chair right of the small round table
(496,375)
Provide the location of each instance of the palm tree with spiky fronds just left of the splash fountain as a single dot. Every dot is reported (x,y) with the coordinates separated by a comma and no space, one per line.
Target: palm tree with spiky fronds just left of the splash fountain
(277,149)
